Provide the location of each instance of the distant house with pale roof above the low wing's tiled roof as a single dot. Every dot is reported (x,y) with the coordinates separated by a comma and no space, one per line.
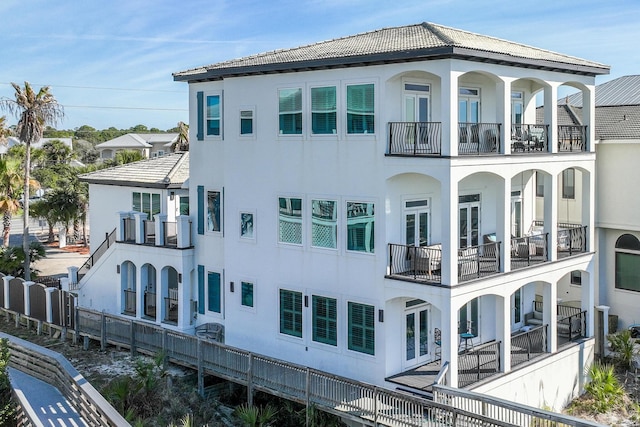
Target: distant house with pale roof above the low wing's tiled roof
(148,144)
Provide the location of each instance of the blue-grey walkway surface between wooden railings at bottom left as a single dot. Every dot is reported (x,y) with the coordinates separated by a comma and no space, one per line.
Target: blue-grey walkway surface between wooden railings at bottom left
(43,402)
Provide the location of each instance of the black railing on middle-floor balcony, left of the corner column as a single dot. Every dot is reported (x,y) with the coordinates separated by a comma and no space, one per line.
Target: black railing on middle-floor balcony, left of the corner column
(418,263)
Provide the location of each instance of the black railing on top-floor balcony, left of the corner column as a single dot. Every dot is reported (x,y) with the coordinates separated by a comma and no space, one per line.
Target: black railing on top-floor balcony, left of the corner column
(415,138)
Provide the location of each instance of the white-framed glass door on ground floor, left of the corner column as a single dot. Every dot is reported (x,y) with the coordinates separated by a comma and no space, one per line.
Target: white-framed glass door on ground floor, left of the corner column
(416,335)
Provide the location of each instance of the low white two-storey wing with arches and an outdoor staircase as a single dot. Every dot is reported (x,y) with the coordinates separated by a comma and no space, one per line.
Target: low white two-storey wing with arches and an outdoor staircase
(148,203)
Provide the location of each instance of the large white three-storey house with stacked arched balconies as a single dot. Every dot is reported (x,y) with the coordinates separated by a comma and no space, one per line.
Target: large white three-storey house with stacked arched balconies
(368,206)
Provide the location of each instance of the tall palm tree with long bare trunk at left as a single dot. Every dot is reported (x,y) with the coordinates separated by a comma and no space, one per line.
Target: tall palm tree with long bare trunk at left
(35,110)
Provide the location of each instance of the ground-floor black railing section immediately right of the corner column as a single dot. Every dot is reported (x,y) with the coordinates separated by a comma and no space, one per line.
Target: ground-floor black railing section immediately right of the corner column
(477,364)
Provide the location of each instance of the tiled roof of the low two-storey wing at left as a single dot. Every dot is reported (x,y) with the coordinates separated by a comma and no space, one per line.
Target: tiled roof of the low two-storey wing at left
(169,171)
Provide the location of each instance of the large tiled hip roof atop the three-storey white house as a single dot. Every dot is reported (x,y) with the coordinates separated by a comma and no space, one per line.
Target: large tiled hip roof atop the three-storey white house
(396,44)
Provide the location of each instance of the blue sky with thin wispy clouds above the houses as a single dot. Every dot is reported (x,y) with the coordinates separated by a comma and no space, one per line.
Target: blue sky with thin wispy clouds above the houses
(109,63)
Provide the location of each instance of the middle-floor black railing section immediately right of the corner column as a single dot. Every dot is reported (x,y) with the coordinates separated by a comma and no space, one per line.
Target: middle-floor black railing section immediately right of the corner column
(478,261)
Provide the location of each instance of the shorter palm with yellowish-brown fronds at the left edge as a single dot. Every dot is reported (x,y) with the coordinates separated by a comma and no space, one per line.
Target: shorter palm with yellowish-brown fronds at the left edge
(10,189)
